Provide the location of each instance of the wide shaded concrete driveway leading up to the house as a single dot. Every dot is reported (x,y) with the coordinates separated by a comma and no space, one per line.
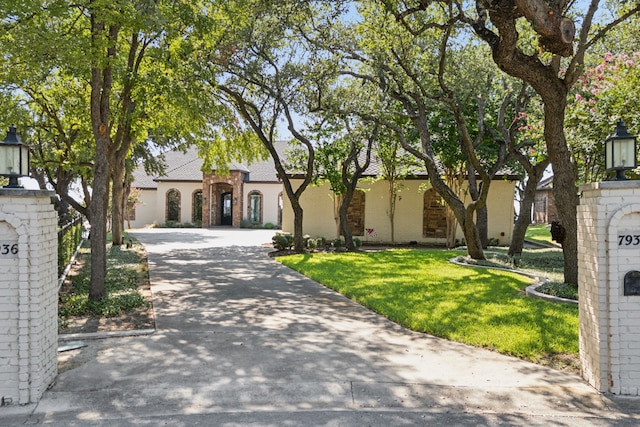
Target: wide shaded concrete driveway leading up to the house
(242,340)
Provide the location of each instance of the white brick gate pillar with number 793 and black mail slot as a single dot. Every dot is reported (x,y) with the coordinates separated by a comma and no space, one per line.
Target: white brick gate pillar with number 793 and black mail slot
(609,320)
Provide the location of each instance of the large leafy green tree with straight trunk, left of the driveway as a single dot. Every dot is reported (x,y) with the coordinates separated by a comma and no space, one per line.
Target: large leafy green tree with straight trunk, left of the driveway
(98,50)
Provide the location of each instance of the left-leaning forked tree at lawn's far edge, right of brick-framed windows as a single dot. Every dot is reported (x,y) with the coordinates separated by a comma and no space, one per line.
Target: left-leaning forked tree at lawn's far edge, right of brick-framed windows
(415,69)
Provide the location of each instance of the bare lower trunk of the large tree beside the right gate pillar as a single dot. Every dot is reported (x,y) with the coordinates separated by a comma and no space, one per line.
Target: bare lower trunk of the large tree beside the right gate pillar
(564,184)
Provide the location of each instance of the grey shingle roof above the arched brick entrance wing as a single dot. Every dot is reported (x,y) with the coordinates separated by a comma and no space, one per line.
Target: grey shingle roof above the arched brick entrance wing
(187,167)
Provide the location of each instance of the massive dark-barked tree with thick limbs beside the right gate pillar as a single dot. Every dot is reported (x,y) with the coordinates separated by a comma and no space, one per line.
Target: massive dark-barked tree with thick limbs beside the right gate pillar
(500,24)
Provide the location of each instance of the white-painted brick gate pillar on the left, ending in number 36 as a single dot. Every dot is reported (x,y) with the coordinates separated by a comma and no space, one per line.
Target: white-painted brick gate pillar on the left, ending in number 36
(28,295)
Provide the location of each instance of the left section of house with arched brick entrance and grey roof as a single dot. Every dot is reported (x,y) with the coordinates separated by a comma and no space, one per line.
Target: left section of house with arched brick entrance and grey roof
(184,194)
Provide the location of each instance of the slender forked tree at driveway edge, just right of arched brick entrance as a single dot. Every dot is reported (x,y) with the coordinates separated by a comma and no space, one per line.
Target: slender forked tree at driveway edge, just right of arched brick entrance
(263,68)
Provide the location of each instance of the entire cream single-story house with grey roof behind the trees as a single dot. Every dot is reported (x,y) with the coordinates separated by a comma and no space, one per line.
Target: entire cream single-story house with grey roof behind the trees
(253,194)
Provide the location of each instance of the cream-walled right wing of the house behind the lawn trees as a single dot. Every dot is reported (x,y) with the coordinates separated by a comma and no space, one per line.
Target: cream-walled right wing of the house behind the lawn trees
(420,214)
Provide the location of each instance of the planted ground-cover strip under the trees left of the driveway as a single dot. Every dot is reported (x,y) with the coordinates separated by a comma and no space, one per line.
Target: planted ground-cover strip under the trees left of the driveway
(125,267)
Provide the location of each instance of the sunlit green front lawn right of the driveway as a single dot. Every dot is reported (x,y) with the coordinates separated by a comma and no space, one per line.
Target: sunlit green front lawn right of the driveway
(422,291)
